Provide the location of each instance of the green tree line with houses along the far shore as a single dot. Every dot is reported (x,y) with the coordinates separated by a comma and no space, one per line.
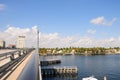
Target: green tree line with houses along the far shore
(79,50)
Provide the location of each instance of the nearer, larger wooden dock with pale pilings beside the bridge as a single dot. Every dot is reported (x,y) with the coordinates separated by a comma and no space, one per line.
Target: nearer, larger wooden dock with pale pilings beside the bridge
(59,71)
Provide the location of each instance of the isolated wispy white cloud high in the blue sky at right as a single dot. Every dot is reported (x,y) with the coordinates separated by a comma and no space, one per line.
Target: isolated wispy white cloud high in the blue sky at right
(102,21)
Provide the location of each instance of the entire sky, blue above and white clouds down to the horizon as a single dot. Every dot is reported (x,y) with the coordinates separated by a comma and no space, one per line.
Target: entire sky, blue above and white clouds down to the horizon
(62,23)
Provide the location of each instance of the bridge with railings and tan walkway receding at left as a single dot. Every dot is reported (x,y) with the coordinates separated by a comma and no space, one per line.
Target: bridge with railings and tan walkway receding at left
(20,64)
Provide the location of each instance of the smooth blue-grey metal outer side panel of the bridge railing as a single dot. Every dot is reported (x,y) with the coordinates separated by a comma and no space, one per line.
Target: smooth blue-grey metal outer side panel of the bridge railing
(31,70)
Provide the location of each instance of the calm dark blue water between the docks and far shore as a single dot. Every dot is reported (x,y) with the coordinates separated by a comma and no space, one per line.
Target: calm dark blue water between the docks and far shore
(98,66)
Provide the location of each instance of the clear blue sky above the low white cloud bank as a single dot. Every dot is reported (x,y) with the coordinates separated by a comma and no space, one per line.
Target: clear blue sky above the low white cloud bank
(98,19)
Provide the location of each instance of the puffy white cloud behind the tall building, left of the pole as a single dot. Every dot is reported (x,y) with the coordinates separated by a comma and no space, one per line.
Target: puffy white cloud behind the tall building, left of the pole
(11,34)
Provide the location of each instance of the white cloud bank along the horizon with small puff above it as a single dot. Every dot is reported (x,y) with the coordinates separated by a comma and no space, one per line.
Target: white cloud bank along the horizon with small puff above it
(11,34)
